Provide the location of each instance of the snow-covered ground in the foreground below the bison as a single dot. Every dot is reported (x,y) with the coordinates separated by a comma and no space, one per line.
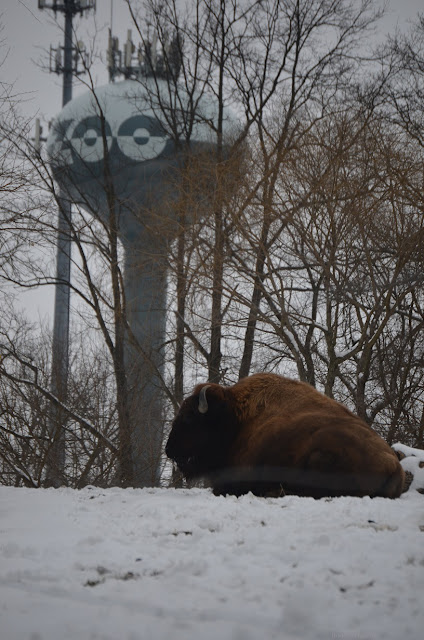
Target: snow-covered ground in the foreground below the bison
(185,565)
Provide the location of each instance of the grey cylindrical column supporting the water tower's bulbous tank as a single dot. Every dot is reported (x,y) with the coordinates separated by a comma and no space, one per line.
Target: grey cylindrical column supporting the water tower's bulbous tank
(145,290)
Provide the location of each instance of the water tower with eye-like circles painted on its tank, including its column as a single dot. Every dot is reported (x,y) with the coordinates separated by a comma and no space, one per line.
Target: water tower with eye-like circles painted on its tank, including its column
(123,119)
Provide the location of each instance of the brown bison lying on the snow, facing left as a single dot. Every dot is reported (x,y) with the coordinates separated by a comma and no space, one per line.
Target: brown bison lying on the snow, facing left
(272,436)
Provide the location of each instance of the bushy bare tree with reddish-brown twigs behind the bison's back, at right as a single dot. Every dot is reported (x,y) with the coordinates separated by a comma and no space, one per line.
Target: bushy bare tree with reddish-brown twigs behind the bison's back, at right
(341,277)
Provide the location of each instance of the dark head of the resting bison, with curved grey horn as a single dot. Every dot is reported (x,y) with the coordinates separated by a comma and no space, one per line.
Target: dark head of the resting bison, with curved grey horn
(202,431)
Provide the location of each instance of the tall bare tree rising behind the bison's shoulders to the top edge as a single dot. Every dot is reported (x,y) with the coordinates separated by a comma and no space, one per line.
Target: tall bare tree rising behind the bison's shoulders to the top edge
(253,58)
